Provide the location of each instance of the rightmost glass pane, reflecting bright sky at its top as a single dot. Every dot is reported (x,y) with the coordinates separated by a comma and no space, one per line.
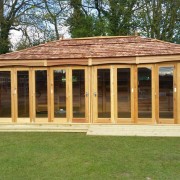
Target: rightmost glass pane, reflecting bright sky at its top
(166,92)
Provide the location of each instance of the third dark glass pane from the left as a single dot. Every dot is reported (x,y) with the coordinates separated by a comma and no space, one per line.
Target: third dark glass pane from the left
(41,93)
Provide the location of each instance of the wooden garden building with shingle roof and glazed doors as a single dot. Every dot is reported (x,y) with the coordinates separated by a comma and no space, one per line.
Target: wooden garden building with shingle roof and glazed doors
(124,79)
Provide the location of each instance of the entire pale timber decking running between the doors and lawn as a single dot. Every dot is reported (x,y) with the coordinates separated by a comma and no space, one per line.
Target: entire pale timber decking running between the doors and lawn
(95,129)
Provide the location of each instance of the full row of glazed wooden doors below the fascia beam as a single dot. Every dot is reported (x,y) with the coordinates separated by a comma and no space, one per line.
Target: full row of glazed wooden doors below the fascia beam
(126,94)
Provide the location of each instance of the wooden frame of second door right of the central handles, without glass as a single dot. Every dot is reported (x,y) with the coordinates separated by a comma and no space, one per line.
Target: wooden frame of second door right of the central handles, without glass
(124,120)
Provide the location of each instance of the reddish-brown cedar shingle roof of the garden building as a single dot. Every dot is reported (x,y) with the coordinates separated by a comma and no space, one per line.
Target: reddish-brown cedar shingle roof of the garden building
(96,47)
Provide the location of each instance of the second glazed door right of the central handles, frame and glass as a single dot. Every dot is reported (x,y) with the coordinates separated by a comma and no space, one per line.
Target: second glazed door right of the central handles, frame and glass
(124,92)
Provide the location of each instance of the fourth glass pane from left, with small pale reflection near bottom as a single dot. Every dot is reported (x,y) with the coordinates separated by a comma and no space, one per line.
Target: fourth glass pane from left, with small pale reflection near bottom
(60,93)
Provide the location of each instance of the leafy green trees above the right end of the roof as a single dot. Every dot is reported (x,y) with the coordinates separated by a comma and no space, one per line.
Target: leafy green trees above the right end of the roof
(160,19)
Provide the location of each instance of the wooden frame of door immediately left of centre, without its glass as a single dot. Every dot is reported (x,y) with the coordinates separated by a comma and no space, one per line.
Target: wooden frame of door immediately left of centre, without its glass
(87,97)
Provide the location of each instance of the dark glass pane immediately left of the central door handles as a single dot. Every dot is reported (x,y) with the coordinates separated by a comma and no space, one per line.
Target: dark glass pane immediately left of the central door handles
(78,82)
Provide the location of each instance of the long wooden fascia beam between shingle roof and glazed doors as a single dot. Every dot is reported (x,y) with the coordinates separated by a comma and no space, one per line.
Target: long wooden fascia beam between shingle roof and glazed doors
(90,61)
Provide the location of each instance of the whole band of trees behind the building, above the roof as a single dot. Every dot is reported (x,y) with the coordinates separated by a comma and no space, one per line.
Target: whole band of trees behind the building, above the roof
(45,20)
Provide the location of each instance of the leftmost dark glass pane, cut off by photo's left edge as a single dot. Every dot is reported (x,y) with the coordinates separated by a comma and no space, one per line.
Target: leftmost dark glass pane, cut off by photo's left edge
(5,94)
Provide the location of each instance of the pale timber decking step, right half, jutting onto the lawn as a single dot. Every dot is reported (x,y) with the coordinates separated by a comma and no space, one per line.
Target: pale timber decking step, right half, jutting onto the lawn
(135,130)
